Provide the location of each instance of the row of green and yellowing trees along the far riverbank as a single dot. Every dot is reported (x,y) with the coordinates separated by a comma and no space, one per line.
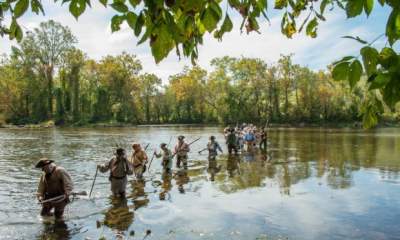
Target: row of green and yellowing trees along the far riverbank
(47,78)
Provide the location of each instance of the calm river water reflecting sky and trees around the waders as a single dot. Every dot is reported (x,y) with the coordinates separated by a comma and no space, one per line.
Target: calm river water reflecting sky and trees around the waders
(311,184)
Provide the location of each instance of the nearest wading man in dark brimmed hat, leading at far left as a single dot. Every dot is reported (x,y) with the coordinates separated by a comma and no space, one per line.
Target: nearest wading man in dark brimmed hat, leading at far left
(55,183)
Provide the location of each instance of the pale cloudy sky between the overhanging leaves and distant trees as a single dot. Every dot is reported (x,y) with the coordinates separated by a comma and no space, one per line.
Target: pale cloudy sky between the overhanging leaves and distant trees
(96,40)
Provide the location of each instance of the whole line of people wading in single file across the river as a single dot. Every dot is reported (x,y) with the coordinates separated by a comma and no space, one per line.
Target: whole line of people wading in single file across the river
(56,186)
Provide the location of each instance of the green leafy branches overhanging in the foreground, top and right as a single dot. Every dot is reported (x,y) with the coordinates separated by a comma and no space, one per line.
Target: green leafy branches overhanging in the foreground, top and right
(182,24)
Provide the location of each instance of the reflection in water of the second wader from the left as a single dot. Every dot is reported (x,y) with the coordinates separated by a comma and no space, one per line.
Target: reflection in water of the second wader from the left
(118,216)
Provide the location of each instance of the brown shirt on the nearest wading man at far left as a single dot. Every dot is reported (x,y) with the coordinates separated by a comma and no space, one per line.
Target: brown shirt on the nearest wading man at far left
(55,184)
